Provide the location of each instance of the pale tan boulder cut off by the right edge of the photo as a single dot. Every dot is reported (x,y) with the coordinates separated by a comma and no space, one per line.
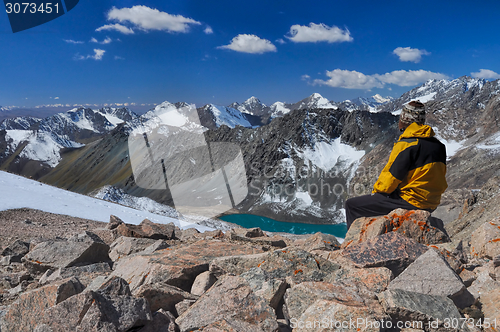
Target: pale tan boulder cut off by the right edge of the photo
(485,241)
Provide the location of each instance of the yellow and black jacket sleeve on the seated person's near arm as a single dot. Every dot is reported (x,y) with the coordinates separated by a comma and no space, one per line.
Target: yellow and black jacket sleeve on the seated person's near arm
(397,167)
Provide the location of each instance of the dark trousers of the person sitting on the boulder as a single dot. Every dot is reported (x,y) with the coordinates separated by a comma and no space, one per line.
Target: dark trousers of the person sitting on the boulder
(374,205)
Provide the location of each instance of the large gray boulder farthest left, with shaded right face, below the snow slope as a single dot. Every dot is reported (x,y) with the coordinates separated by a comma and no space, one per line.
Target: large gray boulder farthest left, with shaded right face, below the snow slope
(82,249)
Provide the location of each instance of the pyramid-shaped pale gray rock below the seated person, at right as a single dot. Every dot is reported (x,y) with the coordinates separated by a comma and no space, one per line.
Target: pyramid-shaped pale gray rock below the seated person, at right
(430,274)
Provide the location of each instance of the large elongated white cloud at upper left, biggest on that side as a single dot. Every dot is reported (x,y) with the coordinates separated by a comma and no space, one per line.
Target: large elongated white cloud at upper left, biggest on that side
(146,18)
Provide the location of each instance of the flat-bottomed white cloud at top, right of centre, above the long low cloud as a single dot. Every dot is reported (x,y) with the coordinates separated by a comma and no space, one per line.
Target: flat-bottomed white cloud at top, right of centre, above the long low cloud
(318,33)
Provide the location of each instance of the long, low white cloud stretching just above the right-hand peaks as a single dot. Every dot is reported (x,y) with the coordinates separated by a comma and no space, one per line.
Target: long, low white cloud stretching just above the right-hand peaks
(347,79)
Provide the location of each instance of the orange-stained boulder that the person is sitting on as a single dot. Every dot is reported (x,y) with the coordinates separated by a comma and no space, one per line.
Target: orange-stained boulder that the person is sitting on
(415,224)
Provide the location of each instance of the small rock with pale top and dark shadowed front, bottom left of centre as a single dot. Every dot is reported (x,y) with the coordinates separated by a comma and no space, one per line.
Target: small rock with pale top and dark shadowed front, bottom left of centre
(163,296)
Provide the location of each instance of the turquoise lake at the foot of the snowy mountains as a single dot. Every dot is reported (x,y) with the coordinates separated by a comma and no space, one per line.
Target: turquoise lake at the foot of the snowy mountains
(271,225)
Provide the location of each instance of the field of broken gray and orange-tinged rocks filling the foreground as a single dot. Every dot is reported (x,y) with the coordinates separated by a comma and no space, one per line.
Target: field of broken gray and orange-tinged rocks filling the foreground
(399,272)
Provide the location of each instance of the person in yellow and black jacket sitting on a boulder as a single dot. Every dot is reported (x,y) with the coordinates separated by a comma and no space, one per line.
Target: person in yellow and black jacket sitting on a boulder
(414,177)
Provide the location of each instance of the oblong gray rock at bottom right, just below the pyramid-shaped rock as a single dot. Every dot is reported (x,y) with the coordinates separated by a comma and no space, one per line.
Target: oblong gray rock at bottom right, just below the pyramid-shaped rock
(405,306)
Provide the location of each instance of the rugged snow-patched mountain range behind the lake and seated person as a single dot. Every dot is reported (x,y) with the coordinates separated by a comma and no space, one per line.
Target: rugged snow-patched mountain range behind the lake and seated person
(319,152)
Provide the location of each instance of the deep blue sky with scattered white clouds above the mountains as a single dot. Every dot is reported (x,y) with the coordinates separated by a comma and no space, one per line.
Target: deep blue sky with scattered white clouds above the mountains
(225,51)
